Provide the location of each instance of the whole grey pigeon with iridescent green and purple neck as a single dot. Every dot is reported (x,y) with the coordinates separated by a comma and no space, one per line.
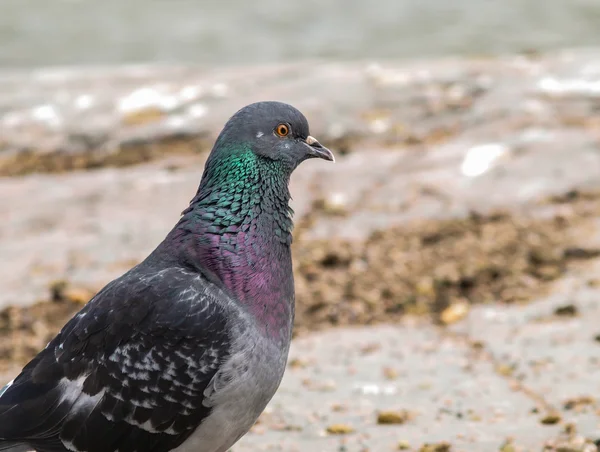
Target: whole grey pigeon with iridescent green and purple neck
(184,351)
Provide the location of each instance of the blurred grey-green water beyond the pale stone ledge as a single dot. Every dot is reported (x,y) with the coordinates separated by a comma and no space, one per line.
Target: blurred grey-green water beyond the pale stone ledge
(209,32)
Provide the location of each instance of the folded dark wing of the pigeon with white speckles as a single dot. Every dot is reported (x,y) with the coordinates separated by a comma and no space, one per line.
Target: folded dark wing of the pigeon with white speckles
(128,373)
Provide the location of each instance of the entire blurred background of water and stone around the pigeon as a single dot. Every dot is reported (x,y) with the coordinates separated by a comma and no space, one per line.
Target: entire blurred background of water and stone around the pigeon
(447,266)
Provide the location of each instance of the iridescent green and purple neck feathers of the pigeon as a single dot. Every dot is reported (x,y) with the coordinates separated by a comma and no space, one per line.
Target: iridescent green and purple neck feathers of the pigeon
(237,231)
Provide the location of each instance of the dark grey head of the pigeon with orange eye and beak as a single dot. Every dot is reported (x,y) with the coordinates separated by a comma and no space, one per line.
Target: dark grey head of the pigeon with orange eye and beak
(275,131)
